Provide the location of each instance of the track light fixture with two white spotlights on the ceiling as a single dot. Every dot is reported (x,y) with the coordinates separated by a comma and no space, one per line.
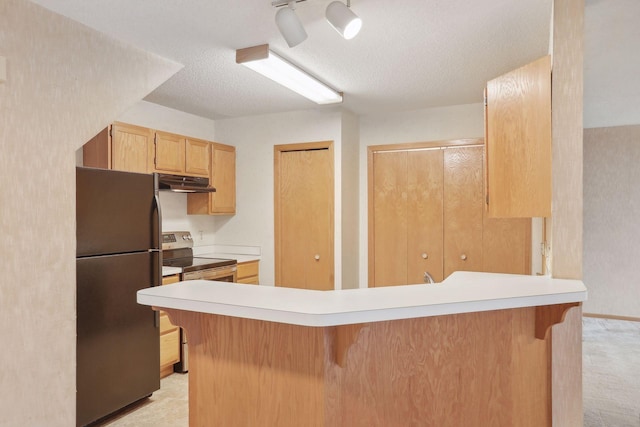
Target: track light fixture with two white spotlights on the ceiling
(338,14)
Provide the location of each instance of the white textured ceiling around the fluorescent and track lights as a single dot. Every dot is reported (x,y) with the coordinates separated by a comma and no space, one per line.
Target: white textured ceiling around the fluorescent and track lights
(409,55)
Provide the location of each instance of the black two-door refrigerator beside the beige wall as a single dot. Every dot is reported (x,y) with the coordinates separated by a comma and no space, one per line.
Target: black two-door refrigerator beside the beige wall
(118,253)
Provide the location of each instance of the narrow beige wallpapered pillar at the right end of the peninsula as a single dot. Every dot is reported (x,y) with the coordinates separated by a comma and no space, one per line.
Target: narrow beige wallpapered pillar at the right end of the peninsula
(566,229)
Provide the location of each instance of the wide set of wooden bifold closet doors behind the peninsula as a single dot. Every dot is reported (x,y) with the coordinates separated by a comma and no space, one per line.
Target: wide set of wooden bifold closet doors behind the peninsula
(427,215)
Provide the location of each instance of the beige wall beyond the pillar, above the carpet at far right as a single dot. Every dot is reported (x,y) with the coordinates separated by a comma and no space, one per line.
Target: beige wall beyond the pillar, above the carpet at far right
(611,225)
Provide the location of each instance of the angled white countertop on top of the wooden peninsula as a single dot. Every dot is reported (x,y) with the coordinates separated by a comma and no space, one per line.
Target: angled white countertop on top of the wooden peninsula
(462,292)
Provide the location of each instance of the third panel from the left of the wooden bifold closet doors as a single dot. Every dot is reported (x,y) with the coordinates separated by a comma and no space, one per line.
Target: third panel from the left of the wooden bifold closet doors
(463,207)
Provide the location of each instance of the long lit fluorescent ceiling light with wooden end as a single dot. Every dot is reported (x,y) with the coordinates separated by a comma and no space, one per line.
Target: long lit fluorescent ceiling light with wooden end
(267,63)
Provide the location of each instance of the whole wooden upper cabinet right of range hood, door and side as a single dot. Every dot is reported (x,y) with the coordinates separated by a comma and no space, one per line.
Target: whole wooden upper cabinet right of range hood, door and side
(223,179)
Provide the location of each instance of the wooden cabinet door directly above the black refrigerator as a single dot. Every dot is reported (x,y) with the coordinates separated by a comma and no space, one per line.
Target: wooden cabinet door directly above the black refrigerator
(131,148)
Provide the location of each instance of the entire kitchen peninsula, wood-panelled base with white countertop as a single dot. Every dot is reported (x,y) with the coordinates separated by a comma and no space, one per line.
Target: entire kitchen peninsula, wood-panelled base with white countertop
(473,350)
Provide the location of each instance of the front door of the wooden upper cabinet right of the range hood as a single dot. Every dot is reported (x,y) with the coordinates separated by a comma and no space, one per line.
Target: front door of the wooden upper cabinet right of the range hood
(223,179)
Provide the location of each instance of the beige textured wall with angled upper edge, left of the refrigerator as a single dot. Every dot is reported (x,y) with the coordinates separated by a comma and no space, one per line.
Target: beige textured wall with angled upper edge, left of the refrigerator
(63,85)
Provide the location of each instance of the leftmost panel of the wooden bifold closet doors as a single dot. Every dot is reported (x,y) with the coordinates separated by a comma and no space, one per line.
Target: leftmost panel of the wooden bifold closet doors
(389,219)
